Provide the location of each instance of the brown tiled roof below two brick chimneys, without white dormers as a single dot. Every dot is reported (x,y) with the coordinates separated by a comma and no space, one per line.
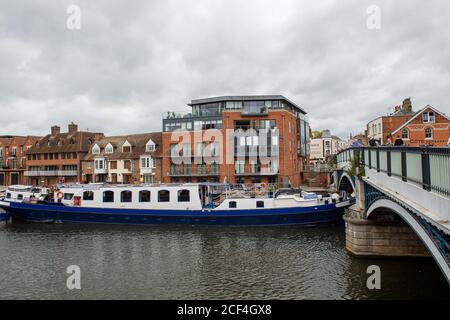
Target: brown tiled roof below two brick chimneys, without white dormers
(79,141)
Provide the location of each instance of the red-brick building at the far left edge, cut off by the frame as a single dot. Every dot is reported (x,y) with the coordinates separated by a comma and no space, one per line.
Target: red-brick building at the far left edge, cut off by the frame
(13,158)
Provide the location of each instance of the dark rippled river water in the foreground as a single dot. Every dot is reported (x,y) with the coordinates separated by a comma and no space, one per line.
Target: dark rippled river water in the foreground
(131,262)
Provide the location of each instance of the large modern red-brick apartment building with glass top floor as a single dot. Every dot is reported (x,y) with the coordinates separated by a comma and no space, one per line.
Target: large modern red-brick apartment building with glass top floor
(236,139)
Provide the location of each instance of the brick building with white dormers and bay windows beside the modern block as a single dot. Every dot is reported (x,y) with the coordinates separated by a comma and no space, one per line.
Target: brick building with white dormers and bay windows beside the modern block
(124,159)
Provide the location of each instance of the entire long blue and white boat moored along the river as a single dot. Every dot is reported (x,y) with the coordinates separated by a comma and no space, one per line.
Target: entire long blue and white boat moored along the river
(180,204)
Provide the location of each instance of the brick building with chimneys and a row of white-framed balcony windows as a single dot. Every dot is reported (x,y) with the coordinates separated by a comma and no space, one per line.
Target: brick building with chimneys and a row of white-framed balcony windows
(56,158)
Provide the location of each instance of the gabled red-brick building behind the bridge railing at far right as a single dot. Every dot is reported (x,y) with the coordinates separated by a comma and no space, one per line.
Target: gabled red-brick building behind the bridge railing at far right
(428,127)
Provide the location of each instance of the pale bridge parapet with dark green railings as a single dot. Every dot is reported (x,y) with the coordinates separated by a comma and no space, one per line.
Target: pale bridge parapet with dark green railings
(416,177)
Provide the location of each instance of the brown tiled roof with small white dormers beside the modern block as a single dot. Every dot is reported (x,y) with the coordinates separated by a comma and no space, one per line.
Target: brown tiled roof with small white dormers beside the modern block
(137,141)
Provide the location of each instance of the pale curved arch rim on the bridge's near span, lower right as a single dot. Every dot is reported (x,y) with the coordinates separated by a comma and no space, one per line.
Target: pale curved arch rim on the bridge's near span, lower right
(418,228)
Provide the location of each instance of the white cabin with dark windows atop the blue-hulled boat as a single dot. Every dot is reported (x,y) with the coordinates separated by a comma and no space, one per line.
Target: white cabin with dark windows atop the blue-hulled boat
(178,197)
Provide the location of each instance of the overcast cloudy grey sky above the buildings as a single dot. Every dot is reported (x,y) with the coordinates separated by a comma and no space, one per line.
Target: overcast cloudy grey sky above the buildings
(132,60)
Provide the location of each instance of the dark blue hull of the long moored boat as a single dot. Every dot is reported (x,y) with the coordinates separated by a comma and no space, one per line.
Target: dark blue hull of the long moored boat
(323,214)
